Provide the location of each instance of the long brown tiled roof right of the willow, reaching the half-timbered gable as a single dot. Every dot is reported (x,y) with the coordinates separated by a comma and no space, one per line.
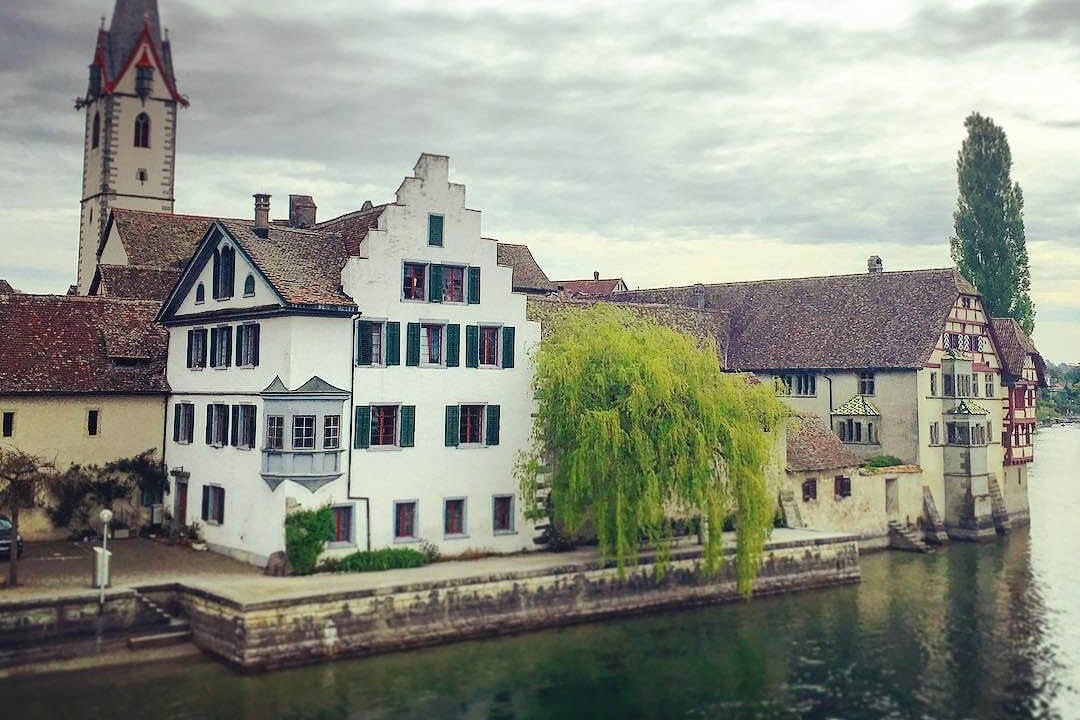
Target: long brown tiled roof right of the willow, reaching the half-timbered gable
(889,320)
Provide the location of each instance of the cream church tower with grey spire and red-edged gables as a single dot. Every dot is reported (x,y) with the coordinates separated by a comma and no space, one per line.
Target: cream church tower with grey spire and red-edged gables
(130,145)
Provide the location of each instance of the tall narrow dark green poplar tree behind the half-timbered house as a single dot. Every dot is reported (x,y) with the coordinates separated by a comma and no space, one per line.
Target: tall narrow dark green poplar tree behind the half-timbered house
(990,247)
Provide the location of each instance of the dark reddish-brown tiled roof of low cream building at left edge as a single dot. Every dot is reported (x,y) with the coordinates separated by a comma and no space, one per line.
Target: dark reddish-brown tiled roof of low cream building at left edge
(71,345)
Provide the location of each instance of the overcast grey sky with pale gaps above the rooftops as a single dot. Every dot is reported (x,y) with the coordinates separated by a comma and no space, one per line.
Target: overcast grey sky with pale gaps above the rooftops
(664,143)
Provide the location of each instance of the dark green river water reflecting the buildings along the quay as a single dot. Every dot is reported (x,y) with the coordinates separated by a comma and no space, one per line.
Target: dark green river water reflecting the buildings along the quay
(974,632)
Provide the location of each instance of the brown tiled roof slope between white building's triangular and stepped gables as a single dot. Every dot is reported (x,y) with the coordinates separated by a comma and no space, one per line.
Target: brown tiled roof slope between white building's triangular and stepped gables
(304,266)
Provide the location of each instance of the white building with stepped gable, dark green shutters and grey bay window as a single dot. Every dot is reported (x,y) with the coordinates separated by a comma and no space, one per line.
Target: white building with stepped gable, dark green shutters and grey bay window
(379,363)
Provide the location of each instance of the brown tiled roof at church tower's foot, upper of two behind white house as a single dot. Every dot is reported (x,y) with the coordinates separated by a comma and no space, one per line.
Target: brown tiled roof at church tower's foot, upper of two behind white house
(161,240)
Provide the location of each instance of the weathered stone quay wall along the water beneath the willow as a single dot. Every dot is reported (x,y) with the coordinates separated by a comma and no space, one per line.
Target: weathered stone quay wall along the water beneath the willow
(268,635)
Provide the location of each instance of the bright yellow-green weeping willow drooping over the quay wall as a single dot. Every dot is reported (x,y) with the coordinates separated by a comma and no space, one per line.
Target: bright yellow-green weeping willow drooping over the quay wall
(638,424)
